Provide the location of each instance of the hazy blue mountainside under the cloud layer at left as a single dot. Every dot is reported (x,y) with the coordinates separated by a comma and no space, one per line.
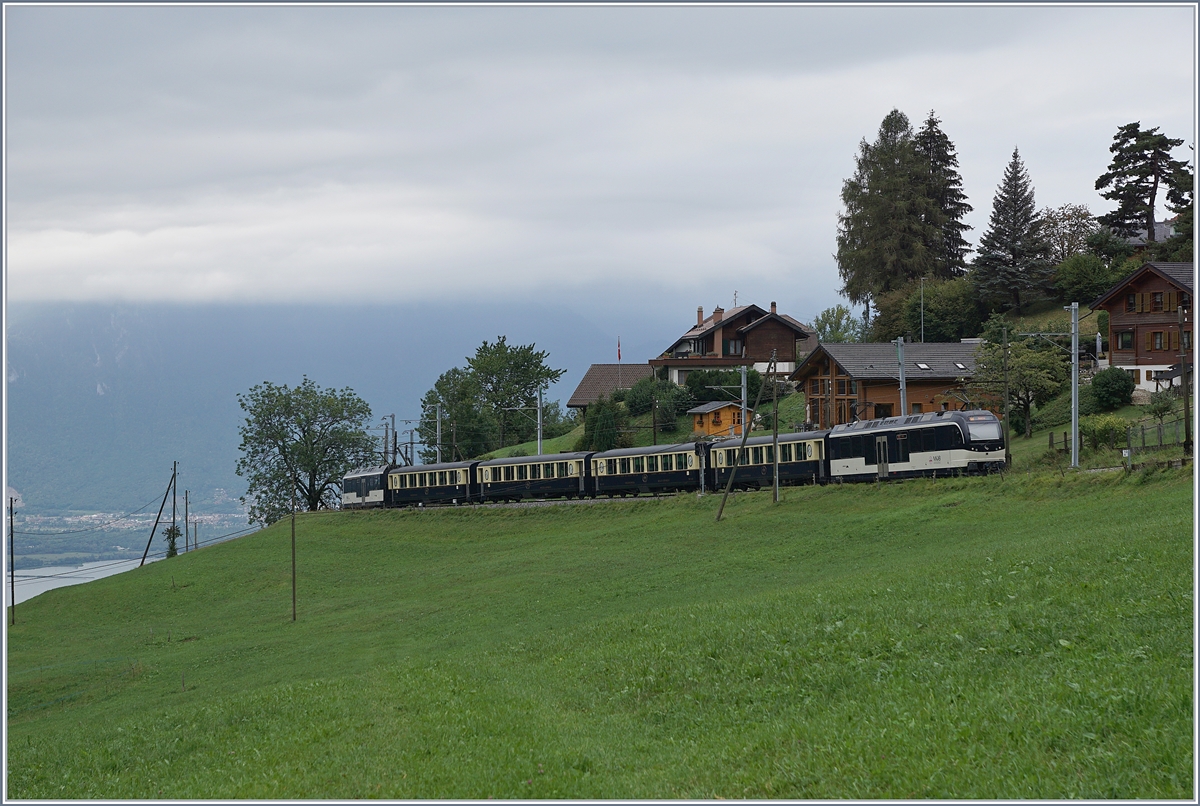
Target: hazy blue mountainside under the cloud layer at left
(103,399)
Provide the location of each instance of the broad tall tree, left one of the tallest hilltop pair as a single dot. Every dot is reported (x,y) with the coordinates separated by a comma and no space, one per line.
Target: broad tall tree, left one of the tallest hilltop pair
(890,231)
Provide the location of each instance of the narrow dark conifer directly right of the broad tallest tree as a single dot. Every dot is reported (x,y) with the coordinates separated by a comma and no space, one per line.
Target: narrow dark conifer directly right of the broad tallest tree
(944,187)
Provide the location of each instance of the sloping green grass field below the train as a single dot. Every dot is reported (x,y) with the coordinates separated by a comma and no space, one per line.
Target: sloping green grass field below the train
(999,637)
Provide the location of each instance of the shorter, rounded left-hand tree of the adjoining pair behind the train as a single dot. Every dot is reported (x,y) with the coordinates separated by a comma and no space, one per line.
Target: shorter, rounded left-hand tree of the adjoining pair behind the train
(469,429)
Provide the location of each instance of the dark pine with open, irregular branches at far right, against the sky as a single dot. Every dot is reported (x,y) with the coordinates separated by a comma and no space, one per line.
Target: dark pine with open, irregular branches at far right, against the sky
(1142,164)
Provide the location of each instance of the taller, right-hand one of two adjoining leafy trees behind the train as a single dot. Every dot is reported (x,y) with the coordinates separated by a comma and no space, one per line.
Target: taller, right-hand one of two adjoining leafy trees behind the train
(509,377)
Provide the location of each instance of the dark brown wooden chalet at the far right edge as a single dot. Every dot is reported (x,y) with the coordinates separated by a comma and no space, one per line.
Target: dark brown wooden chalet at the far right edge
(1145,336)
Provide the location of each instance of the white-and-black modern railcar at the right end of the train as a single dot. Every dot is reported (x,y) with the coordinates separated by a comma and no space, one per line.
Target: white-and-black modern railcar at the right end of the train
(938,443)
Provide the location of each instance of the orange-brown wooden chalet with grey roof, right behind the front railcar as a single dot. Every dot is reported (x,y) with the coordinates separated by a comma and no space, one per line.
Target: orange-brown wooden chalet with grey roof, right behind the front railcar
(847,383)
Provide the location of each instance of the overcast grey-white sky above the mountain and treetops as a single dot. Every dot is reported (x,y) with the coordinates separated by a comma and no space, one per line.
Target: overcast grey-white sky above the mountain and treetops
(637,159)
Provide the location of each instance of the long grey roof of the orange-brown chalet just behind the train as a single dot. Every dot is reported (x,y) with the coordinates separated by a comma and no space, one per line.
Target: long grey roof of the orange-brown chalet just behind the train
(878,362)
